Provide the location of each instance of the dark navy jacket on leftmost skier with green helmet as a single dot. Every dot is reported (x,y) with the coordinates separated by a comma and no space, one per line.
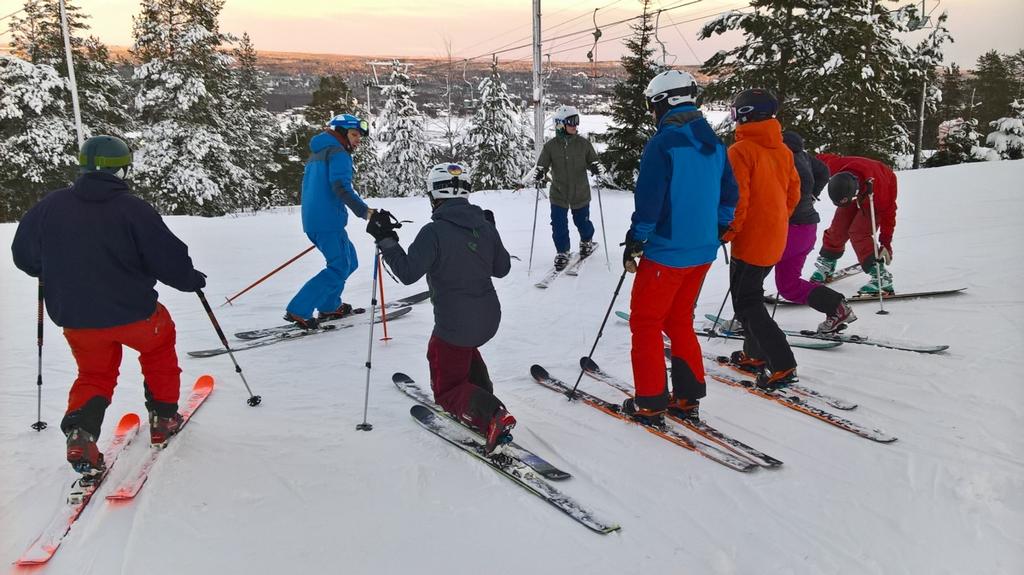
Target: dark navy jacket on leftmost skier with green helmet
(100,252)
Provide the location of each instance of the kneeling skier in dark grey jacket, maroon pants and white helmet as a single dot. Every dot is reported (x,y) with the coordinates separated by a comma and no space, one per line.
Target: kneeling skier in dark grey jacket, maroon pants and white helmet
(459,251)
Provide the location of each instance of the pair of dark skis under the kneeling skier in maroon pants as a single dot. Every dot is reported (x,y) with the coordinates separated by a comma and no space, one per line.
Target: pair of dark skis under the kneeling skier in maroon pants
(525,468)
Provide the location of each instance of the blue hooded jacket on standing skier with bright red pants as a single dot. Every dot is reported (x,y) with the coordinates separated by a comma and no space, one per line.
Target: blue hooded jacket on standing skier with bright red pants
(686,192)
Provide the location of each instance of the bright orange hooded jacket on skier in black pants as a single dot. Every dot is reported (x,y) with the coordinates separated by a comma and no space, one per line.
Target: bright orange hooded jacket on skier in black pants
(770,192)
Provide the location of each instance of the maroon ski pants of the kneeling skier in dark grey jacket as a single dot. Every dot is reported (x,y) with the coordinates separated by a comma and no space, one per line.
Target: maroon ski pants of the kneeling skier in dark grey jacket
(461,384)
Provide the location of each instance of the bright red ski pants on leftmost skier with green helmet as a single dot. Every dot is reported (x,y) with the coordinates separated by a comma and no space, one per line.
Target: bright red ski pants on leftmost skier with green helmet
(98,353)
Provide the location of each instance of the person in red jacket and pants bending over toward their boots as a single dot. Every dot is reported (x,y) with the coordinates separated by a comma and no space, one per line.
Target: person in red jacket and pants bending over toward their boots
(852,220)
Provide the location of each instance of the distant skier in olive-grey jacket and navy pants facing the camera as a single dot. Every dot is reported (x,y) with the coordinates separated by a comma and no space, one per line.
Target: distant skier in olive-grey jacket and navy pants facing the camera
(569,156)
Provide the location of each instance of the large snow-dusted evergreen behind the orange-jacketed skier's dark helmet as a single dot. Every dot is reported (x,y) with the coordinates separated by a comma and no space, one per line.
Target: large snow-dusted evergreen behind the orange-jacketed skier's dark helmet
(839,66)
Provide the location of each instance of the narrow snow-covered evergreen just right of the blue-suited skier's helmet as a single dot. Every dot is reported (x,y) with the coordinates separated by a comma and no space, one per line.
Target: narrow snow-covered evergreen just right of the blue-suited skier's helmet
(405,149)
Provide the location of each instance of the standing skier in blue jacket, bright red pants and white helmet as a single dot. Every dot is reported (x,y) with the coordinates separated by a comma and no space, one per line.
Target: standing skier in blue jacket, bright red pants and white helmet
(686,194)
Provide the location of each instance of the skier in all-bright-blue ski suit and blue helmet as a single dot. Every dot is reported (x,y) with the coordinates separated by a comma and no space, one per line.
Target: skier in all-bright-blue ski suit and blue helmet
(327,192)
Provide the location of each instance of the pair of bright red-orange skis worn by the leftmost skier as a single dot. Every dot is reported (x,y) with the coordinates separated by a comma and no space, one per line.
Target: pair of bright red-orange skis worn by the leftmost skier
(80,494)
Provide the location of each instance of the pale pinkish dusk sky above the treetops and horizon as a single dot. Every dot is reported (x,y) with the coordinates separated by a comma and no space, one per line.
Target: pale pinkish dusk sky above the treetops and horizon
(419,28)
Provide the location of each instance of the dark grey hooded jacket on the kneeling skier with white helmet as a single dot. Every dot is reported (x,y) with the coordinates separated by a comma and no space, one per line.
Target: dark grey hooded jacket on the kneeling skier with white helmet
(459,252)
